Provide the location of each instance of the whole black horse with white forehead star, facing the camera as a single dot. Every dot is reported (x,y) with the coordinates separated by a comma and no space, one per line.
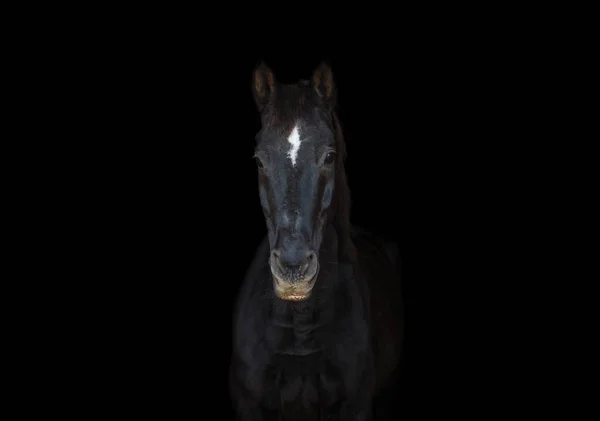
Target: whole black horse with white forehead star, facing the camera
(318,321)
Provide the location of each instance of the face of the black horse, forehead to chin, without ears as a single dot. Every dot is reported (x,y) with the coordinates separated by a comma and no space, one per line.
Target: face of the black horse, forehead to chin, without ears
(296,159)
